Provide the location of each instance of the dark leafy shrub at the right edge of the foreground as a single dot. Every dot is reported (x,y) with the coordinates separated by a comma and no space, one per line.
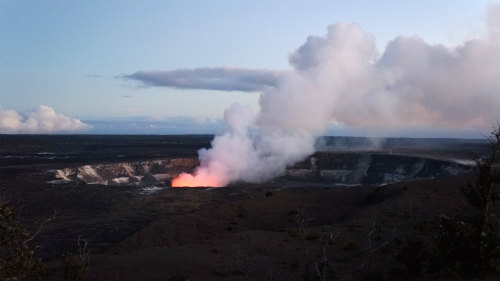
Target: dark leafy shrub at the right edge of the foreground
(468,246)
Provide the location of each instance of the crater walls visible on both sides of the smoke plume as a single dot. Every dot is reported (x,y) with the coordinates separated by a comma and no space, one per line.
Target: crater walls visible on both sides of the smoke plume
(344,168)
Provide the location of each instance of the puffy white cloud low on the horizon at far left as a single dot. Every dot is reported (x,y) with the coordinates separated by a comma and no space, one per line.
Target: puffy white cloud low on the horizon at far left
(44,120)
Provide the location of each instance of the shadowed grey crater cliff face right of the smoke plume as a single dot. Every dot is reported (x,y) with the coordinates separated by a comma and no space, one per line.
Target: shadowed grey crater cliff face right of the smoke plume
(371,168)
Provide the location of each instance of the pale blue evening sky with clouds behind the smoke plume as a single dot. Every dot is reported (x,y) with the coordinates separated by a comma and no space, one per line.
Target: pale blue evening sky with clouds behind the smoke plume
(173,67)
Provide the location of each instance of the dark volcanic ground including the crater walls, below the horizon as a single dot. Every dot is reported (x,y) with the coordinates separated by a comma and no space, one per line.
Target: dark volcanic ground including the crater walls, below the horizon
(345,211)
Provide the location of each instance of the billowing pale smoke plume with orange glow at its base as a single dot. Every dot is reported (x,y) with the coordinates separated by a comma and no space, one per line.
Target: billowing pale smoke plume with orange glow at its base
(342,78)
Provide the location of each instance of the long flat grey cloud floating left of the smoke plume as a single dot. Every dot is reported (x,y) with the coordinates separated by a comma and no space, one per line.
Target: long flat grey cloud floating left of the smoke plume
(210,78)
